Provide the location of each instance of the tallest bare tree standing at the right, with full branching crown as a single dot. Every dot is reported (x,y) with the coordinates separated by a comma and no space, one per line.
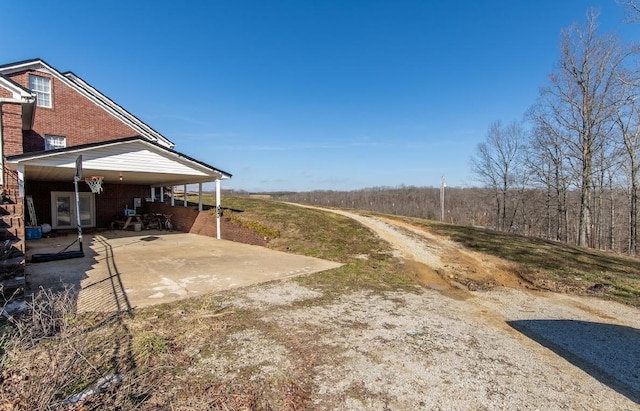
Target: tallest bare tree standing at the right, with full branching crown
(578,102)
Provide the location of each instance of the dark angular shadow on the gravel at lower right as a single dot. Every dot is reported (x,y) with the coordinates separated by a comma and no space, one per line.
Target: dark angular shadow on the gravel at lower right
(608,352)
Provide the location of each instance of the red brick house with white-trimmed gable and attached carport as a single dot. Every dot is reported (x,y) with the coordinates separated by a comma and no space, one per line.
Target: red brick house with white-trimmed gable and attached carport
(48,119)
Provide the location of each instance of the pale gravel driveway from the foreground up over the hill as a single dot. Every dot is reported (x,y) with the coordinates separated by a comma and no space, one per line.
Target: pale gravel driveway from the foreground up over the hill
(442,346)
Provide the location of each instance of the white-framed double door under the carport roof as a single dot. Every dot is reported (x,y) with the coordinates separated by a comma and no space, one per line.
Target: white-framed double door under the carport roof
(63,209)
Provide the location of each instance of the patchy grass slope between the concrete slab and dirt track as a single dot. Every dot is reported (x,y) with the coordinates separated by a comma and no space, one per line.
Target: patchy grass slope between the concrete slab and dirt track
(368,261)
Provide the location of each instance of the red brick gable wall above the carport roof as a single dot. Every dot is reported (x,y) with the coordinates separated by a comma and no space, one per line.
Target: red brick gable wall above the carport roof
(72,116)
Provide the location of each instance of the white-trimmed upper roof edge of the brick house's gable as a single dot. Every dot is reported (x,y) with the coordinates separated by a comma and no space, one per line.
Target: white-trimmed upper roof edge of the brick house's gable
(91,94)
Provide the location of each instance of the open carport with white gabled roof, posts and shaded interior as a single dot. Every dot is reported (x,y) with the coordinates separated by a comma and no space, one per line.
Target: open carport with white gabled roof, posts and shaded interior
(134,172)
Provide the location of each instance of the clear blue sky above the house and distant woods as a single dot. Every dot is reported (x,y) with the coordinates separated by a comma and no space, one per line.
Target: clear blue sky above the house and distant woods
(304,95)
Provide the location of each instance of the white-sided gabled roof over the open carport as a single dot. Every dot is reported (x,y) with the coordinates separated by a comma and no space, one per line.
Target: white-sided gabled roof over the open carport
(130,160)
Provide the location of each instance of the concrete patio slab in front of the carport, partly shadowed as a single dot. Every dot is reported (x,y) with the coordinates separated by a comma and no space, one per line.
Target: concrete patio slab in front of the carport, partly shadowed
(123,270)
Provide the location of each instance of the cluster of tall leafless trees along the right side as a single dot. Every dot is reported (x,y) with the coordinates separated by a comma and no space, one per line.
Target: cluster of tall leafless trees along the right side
(576,148)
